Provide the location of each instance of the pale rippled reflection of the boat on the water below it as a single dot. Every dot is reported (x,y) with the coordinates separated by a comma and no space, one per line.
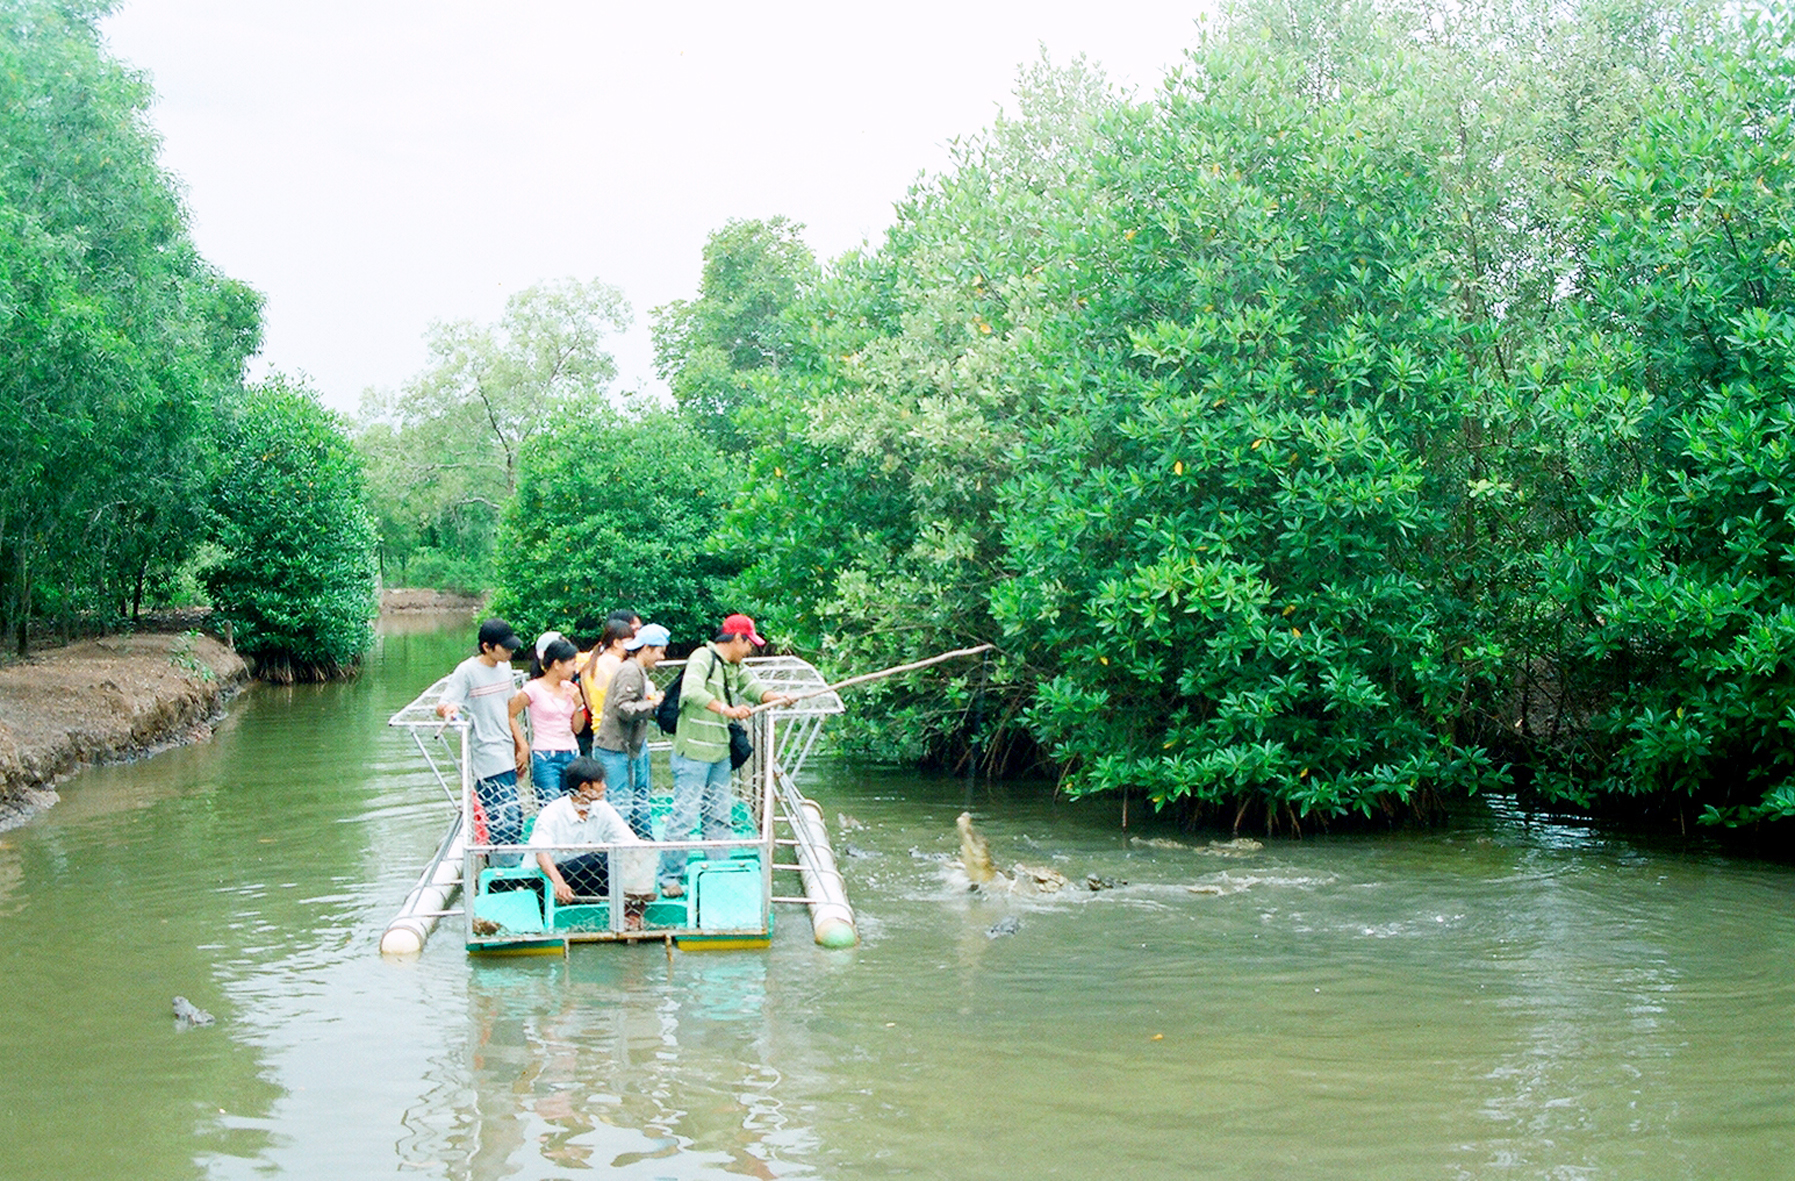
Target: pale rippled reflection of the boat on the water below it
(609,1062)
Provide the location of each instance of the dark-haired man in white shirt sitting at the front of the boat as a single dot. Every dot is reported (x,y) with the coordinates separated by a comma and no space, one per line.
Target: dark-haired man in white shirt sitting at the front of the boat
(582,818)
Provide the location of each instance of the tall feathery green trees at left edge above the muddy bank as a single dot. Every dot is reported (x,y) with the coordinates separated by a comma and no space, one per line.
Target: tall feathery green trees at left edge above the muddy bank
(119,340)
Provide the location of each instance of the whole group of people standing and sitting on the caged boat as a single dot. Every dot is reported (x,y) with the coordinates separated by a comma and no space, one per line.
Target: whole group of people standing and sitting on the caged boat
(590,739)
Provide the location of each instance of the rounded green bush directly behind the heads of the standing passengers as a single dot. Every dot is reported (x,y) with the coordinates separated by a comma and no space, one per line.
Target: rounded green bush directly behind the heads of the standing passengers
(615,511)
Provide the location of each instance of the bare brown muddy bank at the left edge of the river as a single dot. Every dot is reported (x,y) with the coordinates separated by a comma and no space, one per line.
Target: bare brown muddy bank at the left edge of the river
(103,701)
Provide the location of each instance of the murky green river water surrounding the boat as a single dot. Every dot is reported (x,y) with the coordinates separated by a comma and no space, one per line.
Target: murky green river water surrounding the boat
(1498,1001)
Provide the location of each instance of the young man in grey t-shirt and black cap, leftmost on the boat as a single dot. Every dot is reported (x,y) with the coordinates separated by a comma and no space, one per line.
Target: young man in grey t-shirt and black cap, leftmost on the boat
(482,687)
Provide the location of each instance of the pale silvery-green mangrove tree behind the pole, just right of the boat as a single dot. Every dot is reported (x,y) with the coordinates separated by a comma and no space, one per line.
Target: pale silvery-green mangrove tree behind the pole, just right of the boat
(884,441)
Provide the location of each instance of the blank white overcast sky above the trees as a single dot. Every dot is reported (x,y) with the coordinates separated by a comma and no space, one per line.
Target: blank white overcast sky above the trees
(374,166)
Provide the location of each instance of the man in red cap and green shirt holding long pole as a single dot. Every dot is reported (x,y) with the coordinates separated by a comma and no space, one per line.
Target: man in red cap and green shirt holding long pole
(715,690)
